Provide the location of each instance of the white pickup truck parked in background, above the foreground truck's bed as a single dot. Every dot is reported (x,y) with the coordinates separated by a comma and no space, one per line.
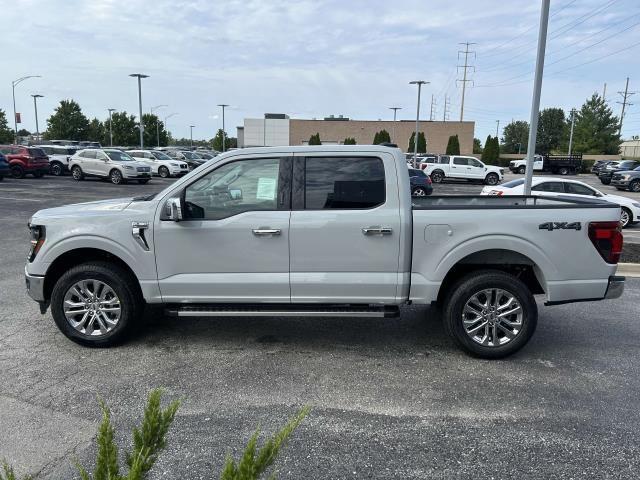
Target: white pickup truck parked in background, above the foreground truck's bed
(463,167)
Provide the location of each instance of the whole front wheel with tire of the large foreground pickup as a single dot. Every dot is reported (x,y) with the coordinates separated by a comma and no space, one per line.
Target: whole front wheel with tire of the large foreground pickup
(96,303)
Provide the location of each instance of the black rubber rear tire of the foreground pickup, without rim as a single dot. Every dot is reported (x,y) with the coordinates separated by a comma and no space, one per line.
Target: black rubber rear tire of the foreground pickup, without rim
(462,291)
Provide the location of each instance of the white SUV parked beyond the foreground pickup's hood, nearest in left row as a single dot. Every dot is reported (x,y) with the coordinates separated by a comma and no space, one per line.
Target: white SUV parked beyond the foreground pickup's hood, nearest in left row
(110,163)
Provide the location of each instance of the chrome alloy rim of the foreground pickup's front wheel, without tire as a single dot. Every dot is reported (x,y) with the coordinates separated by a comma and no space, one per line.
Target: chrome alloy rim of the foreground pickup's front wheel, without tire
(92,307)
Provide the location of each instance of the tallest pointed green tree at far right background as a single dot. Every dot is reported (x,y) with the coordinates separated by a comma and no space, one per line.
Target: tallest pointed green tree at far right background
(596,128)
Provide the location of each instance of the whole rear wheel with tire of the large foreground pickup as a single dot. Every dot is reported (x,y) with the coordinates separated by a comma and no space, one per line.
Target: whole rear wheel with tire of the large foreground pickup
(490,314)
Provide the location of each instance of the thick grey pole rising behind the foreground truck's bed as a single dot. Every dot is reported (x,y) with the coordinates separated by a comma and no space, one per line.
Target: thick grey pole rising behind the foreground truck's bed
(535,100)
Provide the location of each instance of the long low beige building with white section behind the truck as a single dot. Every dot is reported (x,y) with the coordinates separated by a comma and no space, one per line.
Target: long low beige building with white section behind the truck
(278,129)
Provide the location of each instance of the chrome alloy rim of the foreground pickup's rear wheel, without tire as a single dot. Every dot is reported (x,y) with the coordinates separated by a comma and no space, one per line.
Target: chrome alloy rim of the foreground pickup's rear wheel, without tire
(492,317)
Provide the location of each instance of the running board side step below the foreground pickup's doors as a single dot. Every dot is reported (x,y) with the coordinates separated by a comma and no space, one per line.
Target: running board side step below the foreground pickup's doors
(287,310)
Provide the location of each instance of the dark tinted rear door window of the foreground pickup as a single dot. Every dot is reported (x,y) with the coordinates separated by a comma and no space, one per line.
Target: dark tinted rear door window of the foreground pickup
(344,182)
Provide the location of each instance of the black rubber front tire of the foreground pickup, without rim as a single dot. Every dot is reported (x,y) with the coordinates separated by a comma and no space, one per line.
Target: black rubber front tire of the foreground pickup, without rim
(120,281)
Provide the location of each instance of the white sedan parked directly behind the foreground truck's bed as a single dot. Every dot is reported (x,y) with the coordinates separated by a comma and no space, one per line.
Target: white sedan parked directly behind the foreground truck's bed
(554,187)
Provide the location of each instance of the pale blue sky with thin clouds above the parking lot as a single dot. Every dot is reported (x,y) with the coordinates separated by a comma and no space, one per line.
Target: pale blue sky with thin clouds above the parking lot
(314,58)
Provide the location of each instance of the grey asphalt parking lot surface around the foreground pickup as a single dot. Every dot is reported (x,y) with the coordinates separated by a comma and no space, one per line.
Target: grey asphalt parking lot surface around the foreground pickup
(390,398)
